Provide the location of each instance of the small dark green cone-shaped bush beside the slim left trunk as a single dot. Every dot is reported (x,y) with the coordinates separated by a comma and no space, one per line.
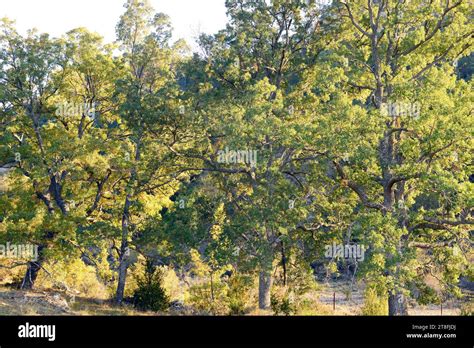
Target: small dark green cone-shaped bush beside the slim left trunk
(150,294)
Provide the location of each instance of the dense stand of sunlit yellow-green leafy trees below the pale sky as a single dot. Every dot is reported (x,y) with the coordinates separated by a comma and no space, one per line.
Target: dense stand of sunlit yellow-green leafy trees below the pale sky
(301,125)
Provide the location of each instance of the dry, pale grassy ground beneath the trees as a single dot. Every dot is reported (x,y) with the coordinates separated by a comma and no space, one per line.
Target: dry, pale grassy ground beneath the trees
(15,302)
